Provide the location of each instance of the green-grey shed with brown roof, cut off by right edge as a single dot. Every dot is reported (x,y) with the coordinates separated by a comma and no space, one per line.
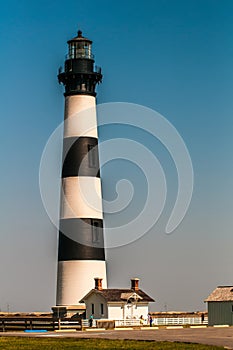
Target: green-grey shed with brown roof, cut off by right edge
(220,306)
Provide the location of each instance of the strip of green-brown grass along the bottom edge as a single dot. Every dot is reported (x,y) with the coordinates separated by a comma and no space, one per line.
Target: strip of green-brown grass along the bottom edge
(20,343)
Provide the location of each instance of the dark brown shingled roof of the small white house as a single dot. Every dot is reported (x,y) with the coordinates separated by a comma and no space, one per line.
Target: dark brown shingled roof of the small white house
(120,295)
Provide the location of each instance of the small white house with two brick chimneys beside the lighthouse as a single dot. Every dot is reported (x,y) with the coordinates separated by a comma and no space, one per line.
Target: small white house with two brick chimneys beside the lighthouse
(117,304)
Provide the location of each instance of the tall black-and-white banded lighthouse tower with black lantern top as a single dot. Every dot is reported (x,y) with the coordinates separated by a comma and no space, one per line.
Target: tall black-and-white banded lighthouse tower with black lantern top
(81,256)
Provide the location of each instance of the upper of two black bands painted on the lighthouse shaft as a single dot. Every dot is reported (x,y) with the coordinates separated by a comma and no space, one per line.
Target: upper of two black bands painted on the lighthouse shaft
(80,157)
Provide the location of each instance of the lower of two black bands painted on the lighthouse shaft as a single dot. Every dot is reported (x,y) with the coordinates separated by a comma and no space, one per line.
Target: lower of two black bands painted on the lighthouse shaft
(81,239)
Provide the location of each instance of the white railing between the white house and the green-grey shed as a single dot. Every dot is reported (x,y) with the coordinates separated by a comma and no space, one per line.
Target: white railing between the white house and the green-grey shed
(179,321)
